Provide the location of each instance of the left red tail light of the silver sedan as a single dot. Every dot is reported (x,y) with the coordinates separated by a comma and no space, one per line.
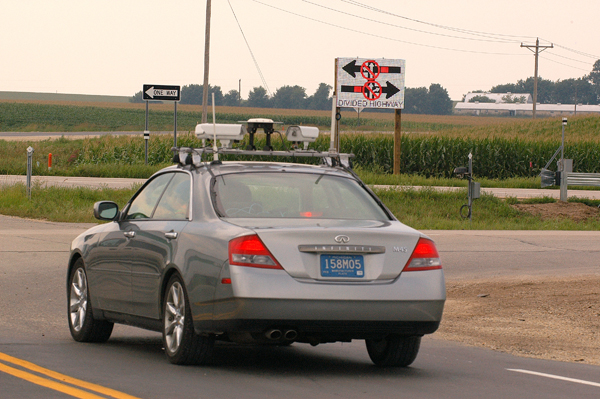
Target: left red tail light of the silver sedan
(250,251)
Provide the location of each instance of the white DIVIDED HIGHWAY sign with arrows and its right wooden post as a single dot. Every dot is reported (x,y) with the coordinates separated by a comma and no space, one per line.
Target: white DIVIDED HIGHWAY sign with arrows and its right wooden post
(373,83)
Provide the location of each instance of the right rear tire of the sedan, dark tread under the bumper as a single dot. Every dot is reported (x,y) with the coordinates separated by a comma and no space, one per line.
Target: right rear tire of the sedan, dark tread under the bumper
(394,350)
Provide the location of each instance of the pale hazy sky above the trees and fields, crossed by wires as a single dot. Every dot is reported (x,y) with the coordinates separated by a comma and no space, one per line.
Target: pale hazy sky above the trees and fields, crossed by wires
(114,47)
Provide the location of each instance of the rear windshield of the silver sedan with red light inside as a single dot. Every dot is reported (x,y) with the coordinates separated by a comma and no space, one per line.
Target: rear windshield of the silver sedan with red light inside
(293,195)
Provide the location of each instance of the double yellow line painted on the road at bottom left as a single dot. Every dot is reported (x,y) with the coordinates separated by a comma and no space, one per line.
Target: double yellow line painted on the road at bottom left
(58,386)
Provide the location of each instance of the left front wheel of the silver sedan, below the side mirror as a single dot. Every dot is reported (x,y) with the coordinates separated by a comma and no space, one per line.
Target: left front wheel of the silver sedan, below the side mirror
(83,326)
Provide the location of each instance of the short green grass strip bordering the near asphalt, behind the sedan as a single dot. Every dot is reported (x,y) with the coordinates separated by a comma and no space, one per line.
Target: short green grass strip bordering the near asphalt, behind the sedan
(423,209)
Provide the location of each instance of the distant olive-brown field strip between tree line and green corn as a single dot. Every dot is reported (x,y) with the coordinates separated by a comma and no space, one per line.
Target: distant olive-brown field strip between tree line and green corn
(68,116)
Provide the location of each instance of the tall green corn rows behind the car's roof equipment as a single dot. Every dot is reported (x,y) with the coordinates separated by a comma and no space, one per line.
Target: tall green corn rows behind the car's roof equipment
(430,156)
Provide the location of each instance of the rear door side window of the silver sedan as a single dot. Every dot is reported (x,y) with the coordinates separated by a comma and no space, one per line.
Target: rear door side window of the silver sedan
(175,202)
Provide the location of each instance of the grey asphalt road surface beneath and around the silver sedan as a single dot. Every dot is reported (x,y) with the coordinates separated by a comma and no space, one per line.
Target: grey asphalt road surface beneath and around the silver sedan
(38,358)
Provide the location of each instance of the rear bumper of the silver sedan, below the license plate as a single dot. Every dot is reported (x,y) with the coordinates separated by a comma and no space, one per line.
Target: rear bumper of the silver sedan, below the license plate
(260,299)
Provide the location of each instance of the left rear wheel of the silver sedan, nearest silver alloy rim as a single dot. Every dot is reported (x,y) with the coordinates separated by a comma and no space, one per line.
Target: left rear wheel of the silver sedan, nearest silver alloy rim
(182,345)
